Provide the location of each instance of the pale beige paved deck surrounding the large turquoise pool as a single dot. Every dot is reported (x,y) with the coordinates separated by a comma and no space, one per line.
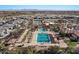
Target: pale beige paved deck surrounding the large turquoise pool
(34,41)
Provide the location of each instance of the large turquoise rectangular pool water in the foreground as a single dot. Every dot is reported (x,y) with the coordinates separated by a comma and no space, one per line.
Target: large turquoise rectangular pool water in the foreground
(43,37)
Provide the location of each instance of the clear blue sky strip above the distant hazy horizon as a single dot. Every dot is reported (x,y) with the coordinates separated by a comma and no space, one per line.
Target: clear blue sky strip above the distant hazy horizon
(40,7)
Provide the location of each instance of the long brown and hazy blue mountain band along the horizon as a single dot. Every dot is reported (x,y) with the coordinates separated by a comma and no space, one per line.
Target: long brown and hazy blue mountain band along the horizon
(34,11)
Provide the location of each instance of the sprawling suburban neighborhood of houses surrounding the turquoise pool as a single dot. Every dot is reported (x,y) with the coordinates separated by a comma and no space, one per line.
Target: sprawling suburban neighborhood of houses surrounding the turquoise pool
(39,32)
